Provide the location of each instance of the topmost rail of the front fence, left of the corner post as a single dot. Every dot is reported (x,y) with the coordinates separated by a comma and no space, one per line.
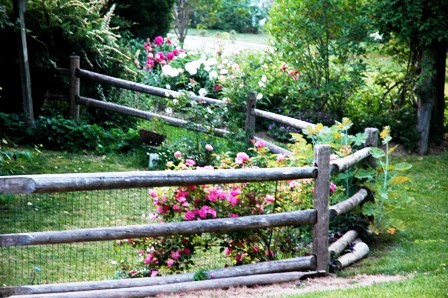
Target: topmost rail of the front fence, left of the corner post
(46,183)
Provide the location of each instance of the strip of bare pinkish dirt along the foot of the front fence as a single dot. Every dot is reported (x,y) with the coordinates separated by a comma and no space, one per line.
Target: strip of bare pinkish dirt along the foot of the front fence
(328,283)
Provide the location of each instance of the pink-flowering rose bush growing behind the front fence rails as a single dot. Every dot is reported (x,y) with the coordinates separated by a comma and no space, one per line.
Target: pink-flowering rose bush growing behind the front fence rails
(204,202)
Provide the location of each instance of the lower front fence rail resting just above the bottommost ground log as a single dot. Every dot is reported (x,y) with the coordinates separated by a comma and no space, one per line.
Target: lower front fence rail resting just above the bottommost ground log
(294,264)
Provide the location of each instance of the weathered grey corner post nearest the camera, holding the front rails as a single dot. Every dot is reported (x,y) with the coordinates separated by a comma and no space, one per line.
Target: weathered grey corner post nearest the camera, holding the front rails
(321,200)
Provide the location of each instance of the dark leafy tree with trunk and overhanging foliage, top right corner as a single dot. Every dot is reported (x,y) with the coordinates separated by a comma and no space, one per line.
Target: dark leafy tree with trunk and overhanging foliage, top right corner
(423,26)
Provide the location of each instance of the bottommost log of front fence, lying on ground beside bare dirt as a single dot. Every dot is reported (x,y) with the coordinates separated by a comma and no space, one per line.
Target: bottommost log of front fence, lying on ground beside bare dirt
(144,291)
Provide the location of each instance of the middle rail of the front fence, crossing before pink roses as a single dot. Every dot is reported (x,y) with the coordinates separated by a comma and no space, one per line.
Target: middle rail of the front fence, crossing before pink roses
(164,229)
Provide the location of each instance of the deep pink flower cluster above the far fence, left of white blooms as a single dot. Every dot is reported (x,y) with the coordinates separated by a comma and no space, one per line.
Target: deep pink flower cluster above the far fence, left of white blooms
(155,54)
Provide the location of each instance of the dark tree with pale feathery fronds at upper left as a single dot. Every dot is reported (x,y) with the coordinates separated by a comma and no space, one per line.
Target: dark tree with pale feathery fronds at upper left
(57,29)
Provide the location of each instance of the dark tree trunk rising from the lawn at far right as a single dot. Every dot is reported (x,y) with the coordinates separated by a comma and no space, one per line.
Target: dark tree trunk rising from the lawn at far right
(426,94)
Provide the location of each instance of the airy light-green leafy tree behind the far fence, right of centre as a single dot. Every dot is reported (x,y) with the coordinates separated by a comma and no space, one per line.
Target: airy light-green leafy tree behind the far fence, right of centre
(321,41)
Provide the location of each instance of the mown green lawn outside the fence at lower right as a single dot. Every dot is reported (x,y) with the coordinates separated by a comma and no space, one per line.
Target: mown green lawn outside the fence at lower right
(420,250)
